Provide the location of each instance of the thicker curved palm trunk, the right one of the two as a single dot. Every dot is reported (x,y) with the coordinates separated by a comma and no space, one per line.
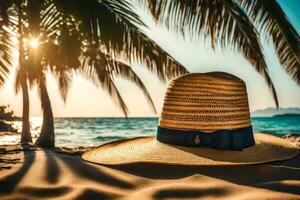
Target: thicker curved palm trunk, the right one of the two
(47,136)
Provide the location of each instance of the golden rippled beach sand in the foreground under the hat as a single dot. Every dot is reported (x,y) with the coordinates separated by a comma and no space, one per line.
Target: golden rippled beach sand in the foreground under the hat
(31,173)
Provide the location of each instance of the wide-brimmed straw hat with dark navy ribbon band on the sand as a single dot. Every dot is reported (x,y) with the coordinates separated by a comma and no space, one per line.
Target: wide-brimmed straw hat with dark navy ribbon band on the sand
(205,120)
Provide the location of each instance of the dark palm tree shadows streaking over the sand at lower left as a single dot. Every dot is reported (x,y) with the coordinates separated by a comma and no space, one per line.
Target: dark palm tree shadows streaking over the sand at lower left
(52,173)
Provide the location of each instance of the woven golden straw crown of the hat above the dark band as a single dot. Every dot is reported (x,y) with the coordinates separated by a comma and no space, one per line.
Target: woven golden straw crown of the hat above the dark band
(206,102)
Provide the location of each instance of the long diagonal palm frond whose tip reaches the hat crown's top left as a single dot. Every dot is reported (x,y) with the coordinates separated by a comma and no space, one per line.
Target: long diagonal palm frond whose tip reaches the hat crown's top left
(112,24)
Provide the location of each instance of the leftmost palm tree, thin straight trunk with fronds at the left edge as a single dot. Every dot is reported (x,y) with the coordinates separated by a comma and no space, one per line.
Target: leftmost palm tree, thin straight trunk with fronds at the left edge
(8,26)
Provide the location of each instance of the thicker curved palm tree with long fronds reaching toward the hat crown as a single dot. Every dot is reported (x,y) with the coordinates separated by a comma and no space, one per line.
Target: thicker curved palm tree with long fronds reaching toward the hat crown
(99,32)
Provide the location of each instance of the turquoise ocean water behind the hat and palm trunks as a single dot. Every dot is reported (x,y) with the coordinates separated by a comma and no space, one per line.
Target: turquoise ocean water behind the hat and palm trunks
(74,132)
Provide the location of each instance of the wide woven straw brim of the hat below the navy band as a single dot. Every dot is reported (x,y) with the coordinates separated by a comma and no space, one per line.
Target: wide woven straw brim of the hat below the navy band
(267,148)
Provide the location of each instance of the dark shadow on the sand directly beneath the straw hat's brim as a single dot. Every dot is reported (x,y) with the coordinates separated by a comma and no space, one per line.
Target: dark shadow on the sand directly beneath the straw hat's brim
(268,176)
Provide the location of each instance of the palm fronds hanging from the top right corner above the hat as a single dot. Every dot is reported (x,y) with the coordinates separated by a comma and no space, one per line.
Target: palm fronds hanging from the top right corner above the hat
(236,23)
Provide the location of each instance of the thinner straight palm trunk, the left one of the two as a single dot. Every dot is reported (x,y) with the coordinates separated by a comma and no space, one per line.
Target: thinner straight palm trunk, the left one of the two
(25,135)
